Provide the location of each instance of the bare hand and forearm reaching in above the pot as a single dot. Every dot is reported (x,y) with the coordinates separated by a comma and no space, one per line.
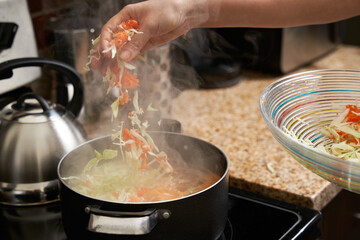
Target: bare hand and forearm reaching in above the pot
(164,20)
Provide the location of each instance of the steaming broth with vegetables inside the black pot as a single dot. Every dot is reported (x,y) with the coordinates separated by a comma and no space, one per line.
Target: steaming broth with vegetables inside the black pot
(123,179)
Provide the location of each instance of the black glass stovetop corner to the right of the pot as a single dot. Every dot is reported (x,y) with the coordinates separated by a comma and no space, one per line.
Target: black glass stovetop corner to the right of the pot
(256,217)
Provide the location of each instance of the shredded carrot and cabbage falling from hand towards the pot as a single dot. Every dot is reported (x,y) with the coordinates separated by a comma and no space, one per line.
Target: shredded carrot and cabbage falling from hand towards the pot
(139,146)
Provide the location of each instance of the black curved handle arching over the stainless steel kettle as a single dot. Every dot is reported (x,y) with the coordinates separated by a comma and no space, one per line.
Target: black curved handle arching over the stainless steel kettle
(75,104)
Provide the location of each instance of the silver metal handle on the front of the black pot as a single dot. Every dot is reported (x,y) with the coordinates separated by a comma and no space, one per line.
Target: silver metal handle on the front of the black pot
(124,223)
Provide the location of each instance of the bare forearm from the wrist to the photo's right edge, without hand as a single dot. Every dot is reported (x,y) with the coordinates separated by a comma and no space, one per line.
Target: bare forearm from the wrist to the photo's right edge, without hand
(274,13)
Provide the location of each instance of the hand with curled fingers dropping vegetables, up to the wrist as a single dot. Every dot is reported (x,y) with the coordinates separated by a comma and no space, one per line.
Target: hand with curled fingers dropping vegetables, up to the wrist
(154,31)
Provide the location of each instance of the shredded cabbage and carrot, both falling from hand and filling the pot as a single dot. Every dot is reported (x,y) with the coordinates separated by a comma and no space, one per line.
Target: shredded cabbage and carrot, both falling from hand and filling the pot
(136,170)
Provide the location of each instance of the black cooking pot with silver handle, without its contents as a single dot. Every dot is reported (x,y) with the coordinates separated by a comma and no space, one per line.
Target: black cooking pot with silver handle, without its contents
(199,216)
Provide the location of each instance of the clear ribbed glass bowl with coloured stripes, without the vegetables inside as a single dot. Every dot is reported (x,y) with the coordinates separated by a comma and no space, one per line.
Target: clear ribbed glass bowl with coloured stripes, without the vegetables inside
(296,106)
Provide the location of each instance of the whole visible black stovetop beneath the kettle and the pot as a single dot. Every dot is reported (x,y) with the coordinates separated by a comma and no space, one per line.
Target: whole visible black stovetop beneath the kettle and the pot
(249,217)
